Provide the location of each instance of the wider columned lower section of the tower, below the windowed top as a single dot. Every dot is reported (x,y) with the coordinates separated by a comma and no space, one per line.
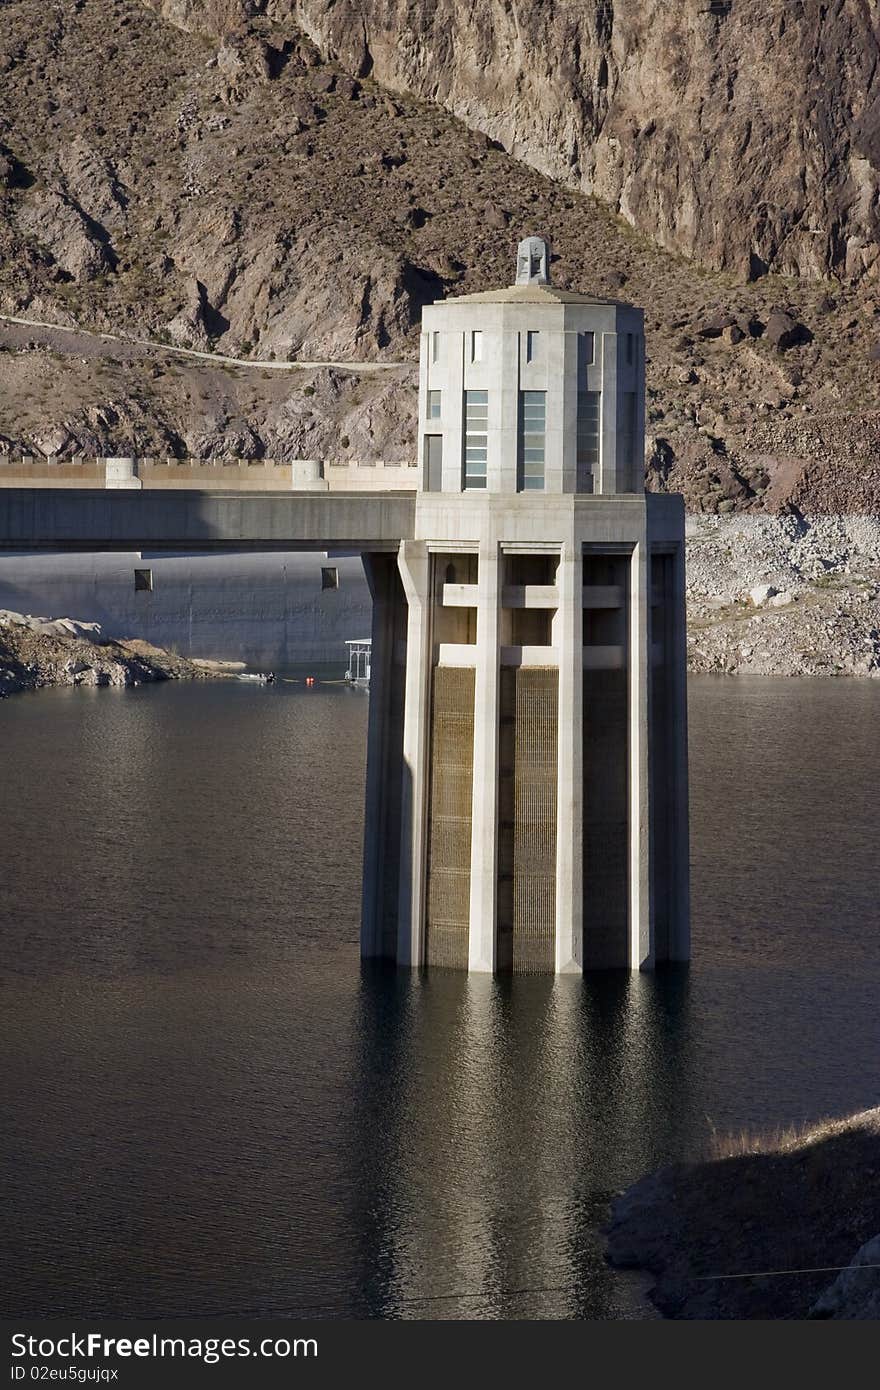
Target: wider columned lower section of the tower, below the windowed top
(528,749)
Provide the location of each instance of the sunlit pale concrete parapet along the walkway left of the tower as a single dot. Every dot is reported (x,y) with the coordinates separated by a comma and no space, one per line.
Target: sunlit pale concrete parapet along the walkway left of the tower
(208,475)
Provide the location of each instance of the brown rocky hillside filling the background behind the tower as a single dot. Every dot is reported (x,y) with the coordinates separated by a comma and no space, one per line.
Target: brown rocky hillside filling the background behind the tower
(236,176)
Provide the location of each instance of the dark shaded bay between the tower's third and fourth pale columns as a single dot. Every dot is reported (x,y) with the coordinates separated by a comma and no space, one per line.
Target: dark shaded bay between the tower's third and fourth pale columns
(607,758)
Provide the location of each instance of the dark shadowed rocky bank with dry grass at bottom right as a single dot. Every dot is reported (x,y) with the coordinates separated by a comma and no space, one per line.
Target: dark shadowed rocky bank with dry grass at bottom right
(781,1228)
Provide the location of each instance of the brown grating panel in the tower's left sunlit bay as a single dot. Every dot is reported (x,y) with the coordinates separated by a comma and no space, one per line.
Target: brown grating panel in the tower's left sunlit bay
(450,817)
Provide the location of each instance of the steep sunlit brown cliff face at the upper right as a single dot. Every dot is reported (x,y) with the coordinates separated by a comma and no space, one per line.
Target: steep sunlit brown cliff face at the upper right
(743,138)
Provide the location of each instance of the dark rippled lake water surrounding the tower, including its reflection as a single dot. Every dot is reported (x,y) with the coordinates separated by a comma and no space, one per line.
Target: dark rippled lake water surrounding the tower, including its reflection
(211,1109)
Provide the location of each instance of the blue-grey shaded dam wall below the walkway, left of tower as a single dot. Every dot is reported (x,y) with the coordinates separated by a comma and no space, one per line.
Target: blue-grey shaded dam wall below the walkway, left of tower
(269,610)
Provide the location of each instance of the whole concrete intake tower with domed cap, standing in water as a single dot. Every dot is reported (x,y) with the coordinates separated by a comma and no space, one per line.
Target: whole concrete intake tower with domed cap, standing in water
(528,743)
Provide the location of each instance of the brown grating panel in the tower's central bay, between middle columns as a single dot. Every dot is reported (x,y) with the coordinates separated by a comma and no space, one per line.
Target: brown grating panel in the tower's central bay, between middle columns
(528,819)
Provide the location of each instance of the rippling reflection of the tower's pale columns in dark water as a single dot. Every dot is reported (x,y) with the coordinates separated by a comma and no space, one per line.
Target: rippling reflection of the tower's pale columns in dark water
(507,1113)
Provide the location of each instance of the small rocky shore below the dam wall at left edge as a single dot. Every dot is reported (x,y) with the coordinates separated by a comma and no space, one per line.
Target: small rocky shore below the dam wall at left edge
(38,653)
